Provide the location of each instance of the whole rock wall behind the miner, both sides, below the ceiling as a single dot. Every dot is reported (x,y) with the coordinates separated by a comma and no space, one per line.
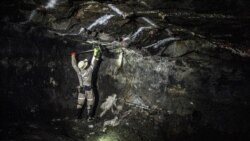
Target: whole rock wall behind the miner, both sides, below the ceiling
(204,89)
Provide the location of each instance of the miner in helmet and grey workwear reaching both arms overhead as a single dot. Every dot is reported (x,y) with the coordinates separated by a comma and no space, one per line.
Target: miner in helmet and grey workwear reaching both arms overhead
(84,71)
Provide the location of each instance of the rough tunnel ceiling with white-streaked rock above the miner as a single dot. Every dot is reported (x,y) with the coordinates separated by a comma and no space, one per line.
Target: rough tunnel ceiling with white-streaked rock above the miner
(71,19)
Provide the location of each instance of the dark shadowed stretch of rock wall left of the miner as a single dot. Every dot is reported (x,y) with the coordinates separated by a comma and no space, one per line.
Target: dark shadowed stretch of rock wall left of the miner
(37,80)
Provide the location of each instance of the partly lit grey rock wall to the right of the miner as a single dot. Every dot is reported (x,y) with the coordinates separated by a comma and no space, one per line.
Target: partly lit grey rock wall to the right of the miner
(200,87)
